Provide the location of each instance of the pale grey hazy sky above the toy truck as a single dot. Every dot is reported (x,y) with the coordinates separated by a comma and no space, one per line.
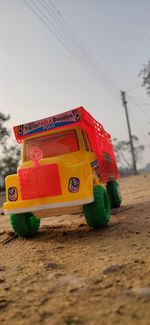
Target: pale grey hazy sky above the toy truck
(62,54)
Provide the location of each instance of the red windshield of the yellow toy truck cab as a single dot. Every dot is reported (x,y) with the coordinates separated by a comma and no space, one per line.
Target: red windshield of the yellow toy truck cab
(53,145)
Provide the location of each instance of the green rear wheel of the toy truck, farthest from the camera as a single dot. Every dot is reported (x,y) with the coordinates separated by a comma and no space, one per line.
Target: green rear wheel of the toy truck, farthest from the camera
(114,194)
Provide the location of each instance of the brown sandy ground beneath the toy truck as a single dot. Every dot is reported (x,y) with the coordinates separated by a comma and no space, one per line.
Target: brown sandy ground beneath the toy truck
(70,274)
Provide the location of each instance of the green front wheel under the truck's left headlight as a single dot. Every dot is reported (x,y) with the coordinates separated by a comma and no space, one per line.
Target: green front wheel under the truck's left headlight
(25,224)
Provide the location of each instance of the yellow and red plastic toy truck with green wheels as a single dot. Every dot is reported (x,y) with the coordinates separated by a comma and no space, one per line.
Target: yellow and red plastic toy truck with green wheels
(68,166)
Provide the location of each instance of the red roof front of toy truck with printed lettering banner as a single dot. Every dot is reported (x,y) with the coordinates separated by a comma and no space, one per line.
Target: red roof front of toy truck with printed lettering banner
(77,116)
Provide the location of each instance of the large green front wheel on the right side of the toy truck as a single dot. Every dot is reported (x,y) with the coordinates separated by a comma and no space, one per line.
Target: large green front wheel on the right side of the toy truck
(97,213)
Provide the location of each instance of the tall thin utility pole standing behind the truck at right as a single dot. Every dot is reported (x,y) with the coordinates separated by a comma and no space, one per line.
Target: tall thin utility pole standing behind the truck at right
(124,102)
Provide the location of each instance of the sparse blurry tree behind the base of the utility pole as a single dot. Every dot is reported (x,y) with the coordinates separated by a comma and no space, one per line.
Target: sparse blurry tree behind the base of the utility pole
(123,153)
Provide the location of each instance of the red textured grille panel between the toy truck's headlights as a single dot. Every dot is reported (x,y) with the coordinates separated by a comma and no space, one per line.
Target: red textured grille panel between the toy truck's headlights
(39,181)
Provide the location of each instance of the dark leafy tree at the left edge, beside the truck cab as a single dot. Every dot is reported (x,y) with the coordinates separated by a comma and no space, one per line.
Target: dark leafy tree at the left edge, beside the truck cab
(9,154)
